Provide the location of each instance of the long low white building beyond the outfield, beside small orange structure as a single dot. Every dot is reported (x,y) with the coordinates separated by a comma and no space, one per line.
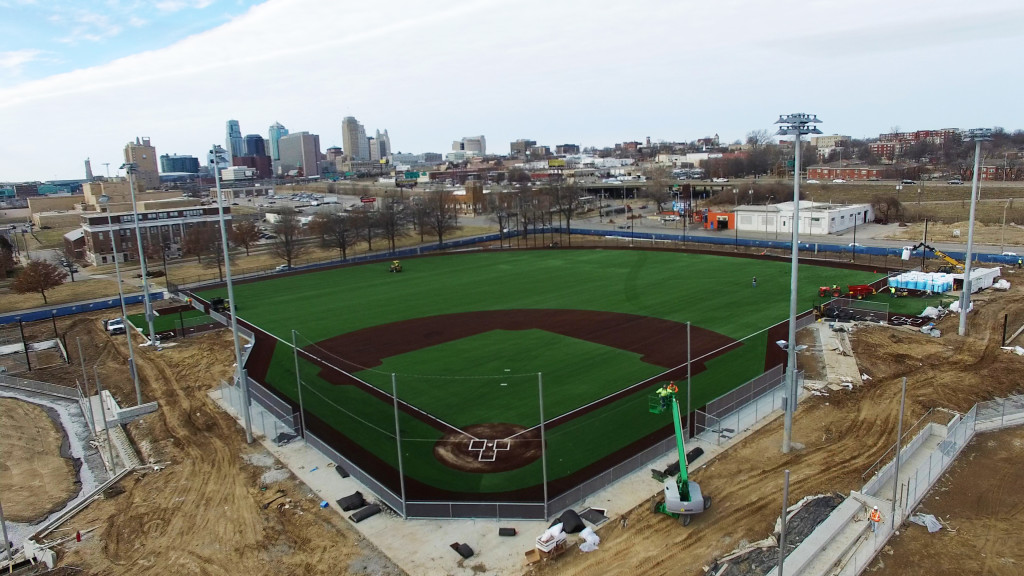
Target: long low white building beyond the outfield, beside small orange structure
(817,219)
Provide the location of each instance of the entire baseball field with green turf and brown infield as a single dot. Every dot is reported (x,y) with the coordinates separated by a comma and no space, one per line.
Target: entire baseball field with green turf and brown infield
(477,346)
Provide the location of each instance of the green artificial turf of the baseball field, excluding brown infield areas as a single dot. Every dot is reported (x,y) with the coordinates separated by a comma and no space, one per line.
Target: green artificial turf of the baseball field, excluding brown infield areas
(712,293)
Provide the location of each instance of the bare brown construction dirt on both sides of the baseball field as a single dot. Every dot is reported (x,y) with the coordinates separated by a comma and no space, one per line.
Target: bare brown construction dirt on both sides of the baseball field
(202,514)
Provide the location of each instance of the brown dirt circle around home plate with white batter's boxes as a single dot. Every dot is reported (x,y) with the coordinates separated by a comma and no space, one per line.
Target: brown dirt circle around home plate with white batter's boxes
(460,451)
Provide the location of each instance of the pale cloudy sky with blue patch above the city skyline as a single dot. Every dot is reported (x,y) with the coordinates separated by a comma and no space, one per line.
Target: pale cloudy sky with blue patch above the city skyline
(79,78)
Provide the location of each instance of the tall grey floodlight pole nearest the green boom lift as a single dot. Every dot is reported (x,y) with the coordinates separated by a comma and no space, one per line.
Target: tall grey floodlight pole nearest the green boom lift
(794,126)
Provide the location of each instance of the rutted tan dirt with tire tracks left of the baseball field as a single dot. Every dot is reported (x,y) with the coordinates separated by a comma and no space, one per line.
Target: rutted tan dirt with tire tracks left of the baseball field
(202,514)
